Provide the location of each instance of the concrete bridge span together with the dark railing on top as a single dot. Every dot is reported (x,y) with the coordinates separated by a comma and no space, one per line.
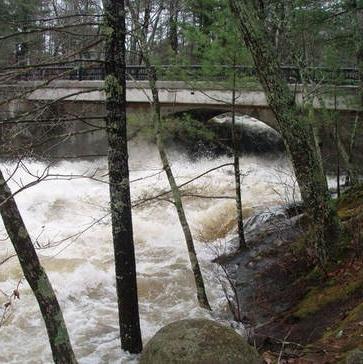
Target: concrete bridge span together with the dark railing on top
(78,87)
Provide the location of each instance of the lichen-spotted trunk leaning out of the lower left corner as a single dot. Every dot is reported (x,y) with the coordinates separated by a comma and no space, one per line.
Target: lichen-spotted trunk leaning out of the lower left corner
(36,276)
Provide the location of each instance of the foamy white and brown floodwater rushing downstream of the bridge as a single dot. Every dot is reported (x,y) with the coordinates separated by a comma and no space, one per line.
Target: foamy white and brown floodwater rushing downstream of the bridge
(81,267)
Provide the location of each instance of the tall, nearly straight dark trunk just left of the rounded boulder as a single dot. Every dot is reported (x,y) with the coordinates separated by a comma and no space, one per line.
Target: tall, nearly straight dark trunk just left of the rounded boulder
(125,266)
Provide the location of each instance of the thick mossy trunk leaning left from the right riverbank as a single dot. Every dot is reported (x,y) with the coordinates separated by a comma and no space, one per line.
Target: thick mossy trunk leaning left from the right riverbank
(294,128)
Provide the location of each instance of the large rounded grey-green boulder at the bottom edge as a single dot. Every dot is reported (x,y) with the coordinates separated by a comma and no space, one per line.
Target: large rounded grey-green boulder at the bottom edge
(198,342)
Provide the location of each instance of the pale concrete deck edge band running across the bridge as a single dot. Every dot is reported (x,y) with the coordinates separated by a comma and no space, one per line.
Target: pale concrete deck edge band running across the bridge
(177,93)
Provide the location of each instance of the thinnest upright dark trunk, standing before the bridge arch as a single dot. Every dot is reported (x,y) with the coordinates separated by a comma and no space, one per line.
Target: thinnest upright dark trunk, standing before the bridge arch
(237,173)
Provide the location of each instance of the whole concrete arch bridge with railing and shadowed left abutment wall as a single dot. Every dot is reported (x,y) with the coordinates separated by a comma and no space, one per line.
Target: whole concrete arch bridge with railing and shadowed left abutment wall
(61,100)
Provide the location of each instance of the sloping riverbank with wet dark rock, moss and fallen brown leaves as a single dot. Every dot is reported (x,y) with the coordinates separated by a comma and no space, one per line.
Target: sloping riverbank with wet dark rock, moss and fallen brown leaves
(297,312)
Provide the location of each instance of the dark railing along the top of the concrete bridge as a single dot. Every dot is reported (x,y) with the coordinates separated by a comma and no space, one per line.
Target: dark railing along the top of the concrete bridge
(194,72)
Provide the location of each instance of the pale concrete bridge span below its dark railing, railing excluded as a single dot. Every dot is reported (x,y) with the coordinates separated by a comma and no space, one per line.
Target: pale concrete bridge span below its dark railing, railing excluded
(206,98)
